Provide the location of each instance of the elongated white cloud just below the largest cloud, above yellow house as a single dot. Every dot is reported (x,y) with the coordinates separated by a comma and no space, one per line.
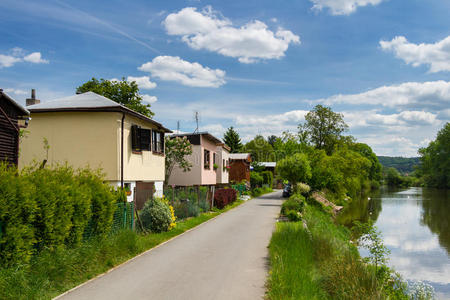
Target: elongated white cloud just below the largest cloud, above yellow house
(173,68)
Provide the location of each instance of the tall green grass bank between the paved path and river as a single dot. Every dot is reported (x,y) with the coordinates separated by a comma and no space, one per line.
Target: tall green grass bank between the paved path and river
(319,261)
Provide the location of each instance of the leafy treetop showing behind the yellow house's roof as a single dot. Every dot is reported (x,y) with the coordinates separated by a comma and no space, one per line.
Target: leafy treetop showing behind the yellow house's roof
(123,92)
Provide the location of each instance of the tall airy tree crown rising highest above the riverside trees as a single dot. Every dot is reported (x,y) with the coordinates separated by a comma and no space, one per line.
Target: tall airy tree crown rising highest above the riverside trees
(323,128)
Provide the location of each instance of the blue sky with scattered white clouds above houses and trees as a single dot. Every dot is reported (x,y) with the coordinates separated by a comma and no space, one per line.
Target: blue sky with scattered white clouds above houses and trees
(258,66)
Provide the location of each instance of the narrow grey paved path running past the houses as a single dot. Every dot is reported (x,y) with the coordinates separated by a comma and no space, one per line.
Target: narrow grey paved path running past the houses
(226,258)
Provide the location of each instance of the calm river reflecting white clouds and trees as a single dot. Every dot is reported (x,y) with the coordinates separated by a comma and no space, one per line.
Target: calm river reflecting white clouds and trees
(415,225)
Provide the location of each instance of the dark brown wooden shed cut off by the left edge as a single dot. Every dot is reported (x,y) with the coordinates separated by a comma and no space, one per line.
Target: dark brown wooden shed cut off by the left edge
(10,114)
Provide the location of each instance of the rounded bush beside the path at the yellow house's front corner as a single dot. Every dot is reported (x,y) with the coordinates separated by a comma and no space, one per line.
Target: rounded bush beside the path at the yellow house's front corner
(156,216)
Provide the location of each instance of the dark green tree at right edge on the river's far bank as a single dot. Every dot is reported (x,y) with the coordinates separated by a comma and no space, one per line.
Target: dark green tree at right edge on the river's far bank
(435,158)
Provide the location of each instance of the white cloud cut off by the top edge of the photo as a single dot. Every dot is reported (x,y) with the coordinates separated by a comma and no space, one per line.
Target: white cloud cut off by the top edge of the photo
(342,7)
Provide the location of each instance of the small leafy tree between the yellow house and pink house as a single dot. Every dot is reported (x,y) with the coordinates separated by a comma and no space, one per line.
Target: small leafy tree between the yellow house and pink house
(176,150)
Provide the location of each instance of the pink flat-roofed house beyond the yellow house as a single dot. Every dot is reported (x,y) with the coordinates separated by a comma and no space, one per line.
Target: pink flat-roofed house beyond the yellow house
(207,160)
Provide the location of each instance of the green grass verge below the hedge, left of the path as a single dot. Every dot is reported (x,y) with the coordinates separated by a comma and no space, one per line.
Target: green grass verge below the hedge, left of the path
(52,272)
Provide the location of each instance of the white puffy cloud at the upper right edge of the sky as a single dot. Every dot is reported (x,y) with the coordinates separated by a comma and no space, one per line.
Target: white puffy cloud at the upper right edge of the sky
(436,55)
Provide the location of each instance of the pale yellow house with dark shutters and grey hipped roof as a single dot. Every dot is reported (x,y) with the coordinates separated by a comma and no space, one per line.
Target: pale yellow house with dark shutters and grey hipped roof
(91,130)
